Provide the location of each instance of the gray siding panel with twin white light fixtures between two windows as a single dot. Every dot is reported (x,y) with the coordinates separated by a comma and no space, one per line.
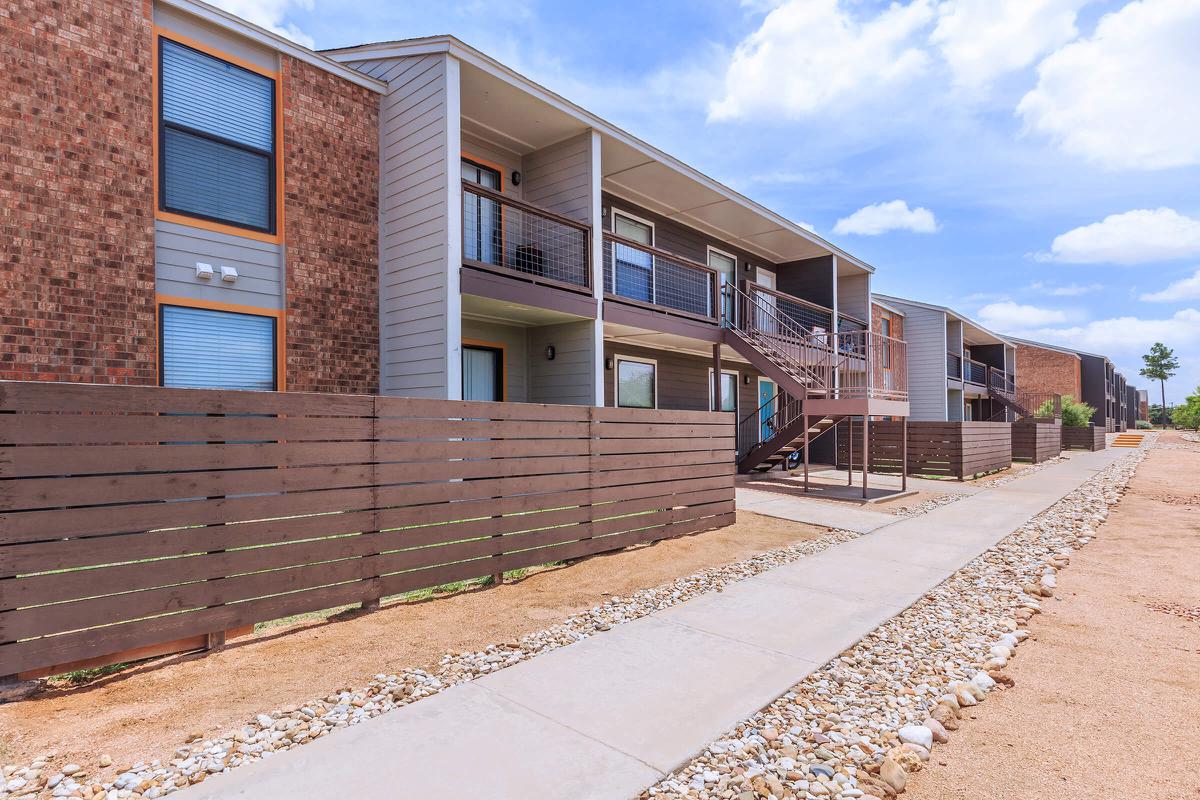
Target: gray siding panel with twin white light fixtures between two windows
(260,266)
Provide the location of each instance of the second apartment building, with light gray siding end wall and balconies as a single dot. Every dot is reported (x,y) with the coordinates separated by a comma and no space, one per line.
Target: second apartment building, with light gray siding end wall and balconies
(958,370)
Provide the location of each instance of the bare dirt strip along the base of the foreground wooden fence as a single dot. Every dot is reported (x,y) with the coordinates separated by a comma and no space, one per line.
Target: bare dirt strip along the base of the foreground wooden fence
(148,711)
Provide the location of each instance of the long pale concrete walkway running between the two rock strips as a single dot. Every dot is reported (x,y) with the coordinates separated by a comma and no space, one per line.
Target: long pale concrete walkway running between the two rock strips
(614,714)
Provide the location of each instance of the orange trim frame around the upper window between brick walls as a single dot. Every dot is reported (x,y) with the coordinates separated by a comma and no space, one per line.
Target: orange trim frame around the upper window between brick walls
(206,225)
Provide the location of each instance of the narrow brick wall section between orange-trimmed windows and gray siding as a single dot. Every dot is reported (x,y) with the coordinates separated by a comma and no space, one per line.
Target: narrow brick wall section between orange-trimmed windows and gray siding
(331,218)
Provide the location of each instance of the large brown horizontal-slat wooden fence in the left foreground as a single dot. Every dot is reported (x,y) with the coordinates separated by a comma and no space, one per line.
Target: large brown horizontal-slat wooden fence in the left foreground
(149,520)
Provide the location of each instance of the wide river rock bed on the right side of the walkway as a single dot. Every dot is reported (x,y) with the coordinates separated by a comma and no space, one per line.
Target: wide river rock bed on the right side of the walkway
(866,721)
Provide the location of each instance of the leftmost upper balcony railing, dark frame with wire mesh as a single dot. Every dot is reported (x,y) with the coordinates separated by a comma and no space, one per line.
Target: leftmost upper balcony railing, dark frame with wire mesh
(502,234)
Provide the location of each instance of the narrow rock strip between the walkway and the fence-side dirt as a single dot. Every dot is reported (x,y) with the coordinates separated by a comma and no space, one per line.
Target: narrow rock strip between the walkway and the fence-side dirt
(285,729)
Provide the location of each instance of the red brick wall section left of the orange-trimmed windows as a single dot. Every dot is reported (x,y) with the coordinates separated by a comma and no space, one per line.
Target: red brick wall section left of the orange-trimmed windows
(76,195)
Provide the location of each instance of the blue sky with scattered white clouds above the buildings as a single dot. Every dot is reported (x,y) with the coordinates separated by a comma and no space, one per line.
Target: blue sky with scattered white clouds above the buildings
(1033,164)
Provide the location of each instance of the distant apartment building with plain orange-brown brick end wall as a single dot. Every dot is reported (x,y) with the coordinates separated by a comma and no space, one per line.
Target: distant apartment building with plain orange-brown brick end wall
(1088,377)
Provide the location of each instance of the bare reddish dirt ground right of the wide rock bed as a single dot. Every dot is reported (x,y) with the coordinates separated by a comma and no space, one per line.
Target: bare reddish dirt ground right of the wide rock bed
(1107,702)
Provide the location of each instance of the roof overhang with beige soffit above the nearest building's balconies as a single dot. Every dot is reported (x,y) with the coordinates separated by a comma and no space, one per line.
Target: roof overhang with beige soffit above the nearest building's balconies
(526,116)
